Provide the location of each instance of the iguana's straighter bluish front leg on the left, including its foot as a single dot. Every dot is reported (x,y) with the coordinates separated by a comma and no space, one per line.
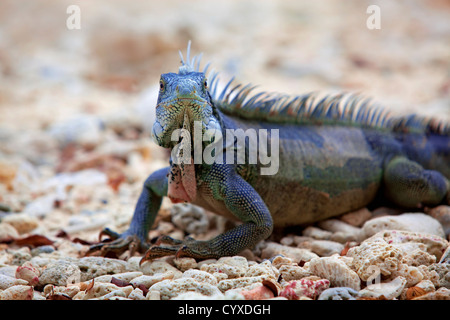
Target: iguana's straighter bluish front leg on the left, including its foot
(147,207)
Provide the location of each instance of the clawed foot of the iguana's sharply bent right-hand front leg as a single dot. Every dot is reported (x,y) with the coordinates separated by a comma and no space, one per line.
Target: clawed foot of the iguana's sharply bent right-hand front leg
(166,246)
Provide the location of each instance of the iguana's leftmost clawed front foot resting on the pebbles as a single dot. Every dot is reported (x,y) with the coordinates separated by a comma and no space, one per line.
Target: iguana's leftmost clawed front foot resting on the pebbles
(118,244)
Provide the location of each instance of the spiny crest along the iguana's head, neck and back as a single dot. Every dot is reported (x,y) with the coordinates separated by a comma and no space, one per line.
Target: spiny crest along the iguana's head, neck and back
(309,108)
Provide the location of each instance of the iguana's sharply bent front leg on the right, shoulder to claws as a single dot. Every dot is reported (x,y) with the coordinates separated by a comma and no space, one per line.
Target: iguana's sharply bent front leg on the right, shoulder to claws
(242,201)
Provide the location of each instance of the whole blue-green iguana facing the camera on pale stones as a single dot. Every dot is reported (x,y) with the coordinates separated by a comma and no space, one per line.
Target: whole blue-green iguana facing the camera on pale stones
(335,154)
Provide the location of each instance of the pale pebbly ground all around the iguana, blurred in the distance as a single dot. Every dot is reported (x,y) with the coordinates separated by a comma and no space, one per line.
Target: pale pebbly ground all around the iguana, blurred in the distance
(77,107)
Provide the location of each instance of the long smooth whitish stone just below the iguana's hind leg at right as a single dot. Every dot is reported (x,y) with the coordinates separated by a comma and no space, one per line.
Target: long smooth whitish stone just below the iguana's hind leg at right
(414,222)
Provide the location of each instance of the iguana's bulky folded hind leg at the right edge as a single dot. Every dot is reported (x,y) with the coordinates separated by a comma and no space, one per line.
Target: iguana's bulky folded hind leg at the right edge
(408,184)
